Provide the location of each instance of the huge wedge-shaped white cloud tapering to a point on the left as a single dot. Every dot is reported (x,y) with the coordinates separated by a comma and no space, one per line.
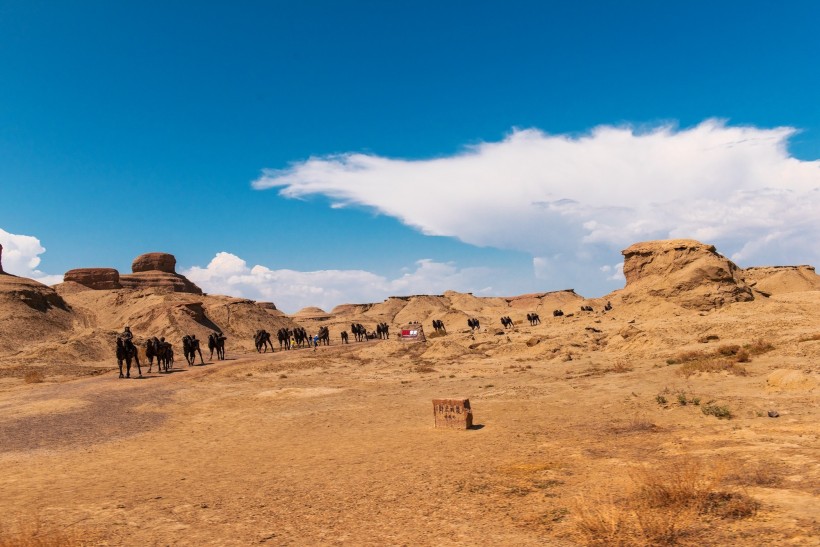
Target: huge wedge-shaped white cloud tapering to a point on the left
(574,201)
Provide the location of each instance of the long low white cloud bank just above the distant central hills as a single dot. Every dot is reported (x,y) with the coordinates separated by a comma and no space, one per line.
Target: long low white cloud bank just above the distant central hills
(292,290)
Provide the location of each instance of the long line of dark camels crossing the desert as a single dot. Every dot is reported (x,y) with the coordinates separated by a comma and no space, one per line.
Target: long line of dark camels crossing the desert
(157,348)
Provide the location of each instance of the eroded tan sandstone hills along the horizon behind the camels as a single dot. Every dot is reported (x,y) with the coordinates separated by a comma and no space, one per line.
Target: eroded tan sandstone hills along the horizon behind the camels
(77,320)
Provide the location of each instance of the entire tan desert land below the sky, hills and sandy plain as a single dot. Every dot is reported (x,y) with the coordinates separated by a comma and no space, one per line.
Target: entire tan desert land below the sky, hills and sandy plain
(681,410)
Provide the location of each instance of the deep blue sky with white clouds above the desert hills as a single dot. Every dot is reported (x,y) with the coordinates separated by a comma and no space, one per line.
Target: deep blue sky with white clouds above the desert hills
(270,146)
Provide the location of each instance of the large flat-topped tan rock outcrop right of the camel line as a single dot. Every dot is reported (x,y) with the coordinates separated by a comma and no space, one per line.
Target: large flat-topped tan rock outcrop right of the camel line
(684,271)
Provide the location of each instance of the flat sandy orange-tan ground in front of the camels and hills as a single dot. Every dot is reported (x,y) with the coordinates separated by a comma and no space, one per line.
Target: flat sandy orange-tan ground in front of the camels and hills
(337,446)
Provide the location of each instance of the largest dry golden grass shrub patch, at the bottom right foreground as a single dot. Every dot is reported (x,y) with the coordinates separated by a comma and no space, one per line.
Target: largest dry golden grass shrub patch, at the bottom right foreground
(666,507)
